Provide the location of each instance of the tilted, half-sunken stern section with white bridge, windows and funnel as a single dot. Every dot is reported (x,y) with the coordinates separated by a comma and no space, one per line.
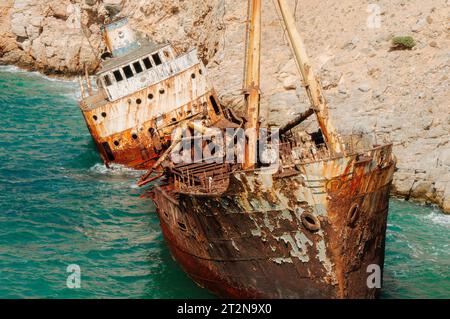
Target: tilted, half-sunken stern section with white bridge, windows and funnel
(144,90)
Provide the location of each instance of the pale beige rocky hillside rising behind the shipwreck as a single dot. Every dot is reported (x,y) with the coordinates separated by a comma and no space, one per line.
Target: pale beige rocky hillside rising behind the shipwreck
(402,96)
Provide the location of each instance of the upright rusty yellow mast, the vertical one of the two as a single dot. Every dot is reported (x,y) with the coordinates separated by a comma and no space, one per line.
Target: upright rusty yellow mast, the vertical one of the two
(252,81)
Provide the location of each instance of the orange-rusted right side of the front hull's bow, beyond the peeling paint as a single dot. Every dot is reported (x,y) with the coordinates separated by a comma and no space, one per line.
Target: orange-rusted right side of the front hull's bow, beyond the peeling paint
(357,208)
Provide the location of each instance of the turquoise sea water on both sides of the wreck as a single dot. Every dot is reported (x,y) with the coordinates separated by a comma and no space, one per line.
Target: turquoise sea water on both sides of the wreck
(59,206)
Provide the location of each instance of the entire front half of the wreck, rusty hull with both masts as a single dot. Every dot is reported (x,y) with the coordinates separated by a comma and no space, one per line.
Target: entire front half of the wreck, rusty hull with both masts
(310,225)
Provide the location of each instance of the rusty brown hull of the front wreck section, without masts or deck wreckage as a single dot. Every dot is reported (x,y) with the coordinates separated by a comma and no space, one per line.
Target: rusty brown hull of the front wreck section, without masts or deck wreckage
(309,232)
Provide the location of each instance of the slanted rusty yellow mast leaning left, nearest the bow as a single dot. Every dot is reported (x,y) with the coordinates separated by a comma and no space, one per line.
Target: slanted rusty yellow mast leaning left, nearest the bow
(312,84)
